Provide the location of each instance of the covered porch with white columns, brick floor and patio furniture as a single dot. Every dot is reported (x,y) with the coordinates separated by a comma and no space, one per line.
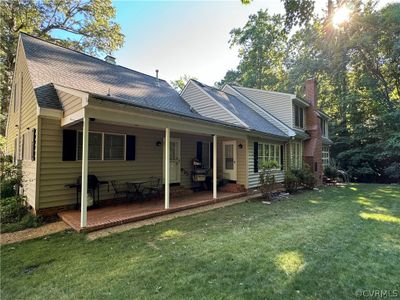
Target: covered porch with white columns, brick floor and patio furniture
(163,147)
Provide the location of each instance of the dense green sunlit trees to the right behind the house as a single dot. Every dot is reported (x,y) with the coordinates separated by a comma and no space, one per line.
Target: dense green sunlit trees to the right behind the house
(357,68)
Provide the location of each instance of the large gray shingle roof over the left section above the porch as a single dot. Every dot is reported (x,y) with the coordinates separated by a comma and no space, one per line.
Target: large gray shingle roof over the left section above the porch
(49,63)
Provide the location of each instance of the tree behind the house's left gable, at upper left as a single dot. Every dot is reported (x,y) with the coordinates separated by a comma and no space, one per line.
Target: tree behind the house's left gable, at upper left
(86,25)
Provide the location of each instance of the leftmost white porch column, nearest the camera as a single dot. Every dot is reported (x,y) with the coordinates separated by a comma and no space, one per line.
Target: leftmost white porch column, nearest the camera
(85,157)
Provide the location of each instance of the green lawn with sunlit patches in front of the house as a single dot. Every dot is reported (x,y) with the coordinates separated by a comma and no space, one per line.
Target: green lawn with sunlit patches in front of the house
(315,245)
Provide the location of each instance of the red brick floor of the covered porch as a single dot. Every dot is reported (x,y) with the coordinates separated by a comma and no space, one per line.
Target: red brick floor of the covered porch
(109,216)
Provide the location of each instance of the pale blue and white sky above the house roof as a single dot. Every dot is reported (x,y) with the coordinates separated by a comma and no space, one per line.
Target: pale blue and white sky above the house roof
(185,37)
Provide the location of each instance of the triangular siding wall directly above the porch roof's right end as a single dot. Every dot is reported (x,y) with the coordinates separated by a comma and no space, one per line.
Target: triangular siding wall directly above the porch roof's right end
(205,105)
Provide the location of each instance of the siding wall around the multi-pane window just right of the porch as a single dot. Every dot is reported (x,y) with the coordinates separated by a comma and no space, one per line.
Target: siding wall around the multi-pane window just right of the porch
(254,177)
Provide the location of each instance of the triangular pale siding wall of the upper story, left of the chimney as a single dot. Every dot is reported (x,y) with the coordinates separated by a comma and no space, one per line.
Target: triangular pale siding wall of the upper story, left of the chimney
(278,104)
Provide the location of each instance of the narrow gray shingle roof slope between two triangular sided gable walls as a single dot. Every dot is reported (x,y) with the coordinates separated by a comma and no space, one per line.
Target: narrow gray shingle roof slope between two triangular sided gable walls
(242,111)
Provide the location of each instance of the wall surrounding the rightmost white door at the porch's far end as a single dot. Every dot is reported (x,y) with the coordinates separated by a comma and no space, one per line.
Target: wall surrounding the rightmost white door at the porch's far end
(241,159)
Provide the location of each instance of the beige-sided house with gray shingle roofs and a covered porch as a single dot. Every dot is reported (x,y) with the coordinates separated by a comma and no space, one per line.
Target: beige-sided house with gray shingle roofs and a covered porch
(72,114)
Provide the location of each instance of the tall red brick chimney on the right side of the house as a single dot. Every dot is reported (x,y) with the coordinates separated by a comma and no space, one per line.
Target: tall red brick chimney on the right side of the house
(313,146)
